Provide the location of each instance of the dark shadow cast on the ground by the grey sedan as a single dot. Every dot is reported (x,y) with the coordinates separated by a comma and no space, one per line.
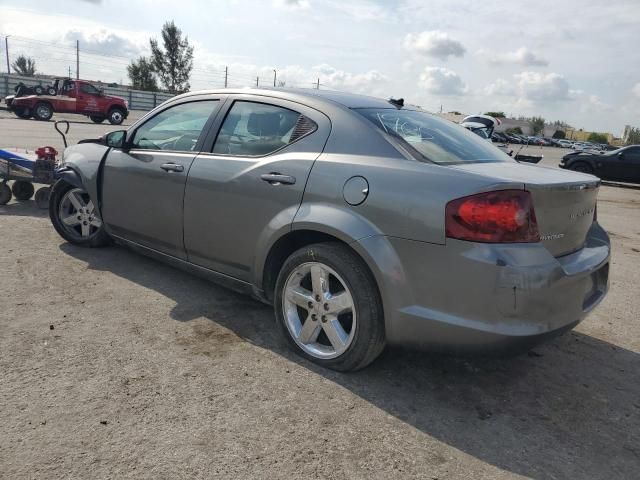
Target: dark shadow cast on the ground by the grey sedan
(568,409)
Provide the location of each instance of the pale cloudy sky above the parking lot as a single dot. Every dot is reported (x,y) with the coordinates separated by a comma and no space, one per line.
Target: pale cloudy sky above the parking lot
(576,61)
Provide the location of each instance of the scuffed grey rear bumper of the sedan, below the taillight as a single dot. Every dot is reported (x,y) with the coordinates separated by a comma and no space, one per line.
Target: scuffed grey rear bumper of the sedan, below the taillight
(466,296)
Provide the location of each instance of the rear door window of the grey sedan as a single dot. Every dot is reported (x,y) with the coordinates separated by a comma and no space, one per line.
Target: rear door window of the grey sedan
(255,129)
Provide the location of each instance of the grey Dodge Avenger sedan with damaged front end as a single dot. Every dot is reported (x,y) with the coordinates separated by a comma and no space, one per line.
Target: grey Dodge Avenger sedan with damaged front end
(364,222)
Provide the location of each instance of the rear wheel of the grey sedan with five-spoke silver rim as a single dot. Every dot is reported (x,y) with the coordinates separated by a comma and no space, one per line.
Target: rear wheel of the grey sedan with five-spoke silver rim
(345,341)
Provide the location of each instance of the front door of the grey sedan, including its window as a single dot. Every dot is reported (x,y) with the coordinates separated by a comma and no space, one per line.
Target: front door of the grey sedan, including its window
(143,184)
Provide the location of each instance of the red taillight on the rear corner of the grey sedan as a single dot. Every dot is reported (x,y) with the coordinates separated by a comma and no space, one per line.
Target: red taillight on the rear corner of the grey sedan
(503,216)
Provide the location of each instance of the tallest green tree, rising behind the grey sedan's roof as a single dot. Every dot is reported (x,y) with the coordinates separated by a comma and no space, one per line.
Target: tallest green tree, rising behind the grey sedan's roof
(173,61)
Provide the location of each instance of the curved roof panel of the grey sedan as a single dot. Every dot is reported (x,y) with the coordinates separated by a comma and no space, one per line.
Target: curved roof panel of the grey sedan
(306,95)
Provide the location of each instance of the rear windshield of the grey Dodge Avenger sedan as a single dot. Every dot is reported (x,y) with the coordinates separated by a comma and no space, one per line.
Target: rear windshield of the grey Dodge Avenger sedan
(432,138)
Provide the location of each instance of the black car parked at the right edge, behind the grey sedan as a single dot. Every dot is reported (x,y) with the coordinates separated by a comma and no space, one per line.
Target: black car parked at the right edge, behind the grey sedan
(621,165)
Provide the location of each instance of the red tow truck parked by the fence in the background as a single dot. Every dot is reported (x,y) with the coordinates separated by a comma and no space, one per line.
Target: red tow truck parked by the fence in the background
(72,96)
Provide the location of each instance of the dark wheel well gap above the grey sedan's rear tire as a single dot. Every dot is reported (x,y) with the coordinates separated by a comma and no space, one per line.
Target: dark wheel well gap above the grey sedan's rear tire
(284,247)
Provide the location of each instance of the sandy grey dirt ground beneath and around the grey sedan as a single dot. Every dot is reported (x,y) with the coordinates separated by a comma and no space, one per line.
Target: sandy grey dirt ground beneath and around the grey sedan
(115,366)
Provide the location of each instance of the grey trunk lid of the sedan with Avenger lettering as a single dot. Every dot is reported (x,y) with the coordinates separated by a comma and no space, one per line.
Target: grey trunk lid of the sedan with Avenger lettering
(564,201)
